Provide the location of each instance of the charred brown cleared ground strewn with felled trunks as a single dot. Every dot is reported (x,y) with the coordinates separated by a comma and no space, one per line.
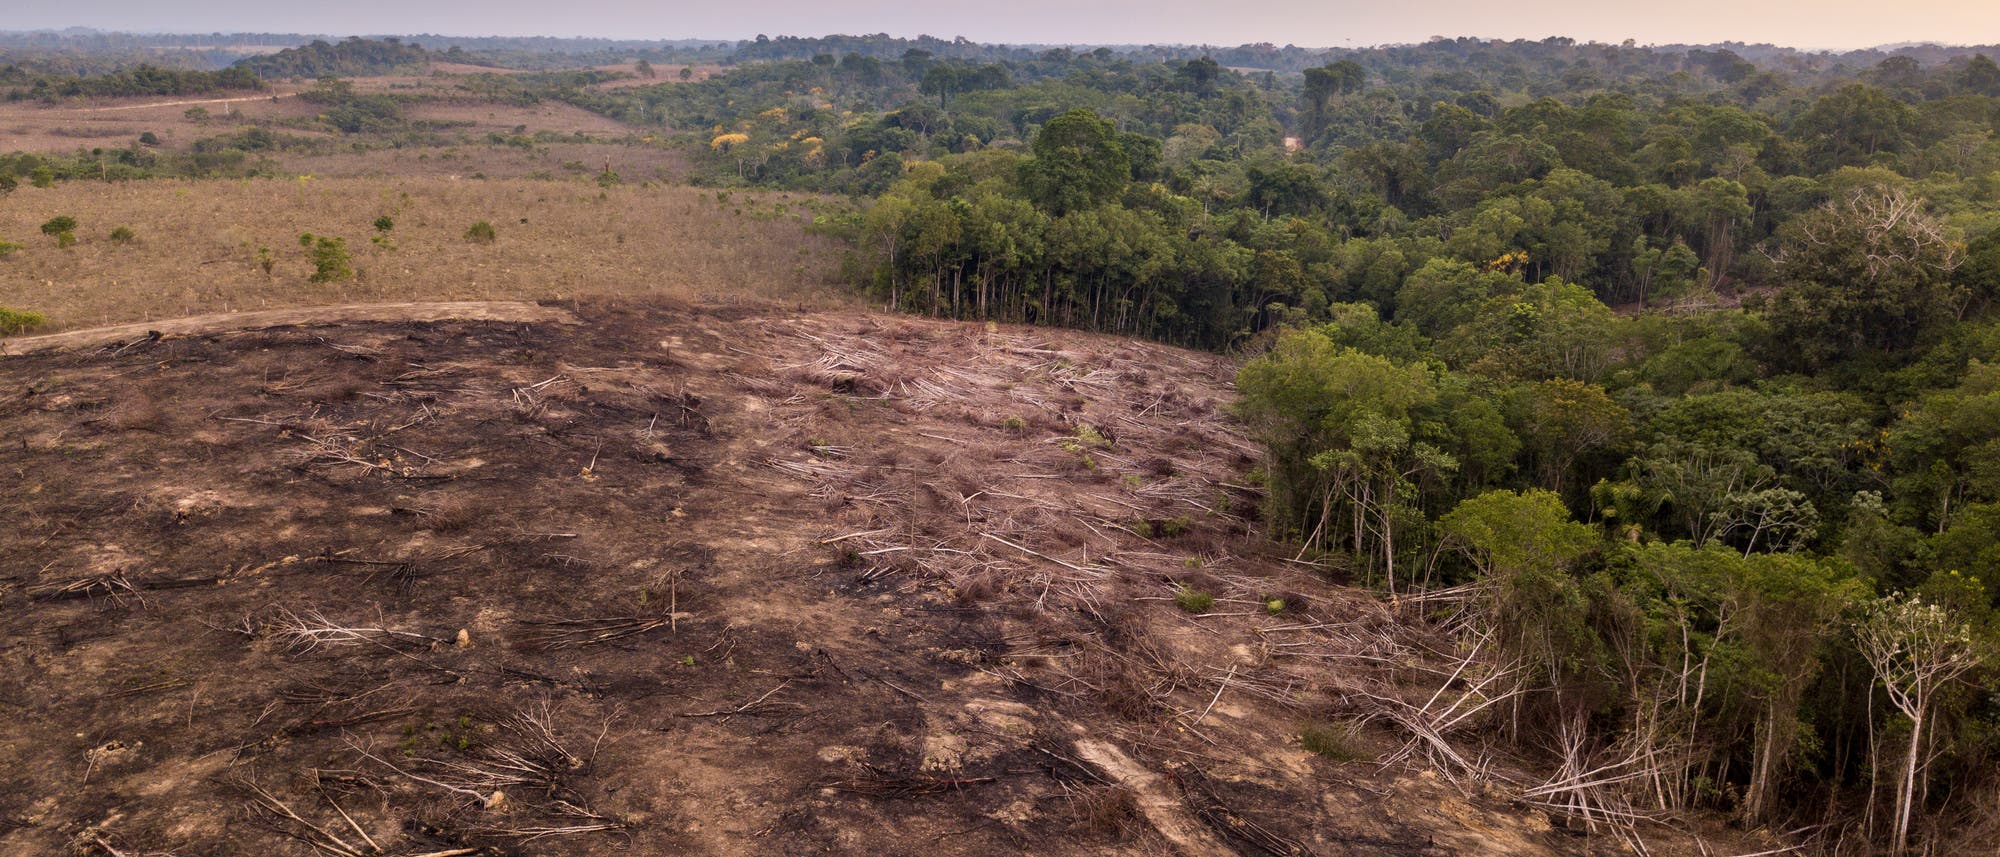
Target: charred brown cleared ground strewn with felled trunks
(677,582)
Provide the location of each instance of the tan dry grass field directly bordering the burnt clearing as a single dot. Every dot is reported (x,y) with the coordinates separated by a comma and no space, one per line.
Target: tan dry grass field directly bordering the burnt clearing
(199,243)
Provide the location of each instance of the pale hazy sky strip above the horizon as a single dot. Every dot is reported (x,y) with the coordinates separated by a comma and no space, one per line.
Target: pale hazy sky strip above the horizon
(1307,23)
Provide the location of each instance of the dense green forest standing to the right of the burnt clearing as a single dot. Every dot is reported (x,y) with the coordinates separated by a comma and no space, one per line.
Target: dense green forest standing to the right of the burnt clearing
(1667,379)
